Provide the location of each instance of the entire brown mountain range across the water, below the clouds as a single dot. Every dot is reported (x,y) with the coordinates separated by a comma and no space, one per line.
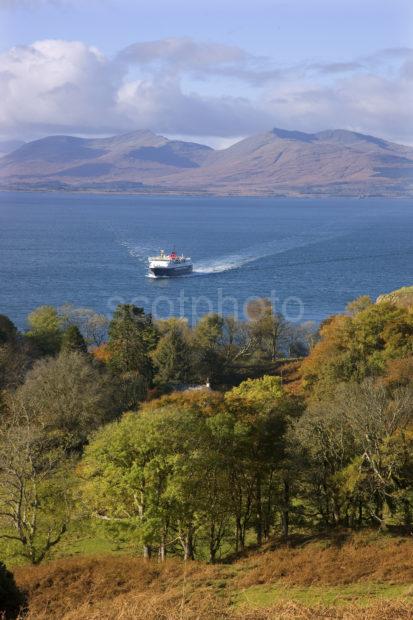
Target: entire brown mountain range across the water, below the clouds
(278,162)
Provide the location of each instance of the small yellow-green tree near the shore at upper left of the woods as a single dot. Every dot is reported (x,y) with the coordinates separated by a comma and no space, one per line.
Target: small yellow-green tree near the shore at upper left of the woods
(45,329)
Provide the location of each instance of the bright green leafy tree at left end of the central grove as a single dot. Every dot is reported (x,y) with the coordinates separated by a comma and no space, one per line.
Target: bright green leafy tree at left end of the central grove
(127,468)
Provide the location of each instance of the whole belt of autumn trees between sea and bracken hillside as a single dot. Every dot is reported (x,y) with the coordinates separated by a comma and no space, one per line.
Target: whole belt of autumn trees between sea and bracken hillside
(198,472)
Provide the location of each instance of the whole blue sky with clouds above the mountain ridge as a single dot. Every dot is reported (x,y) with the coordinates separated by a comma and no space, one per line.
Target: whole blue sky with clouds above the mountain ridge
(211,71)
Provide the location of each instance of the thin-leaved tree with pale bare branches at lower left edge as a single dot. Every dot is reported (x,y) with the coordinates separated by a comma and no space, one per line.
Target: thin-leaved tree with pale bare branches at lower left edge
(34,487)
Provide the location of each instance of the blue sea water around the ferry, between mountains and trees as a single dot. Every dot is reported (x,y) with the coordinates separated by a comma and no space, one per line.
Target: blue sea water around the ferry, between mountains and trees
(312,256)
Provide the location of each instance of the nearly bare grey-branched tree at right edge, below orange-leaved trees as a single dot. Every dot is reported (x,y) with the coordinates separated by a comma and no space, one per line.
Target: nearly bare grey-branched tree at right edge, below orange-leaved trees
(357,448)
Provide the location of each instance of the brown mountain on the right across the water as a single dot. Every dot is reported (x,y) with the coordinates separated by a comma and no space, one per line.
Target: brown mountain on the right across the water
(332,162)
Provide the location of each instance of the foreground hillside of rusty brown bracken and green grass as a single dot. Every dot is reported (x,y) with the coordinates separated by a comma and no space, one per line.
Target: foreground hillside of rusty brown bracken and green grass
(356,577)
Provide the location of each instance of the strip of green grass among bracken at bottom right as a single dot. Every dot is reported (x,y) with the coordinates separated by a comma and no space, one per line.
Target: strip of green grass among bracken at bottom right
(361,594)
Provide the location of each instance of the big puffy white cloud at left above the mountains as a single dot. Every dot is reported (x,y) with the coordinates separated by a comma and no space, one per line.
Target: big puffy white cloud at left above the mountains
(52,85)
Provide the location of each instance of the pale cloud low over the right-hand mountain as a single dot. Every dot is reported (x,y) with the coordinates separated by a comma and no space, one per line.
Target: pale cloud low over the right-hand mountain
(365,102)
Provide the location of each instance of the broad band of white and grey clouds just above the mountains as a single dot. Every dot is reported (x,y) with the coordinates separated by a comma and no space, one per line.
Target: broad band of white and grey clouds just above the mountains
(181,86)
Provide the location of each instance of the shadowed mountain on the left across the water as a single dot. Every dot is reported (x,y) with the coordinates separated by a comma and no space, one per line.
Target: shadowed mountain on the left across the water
(137,158)
